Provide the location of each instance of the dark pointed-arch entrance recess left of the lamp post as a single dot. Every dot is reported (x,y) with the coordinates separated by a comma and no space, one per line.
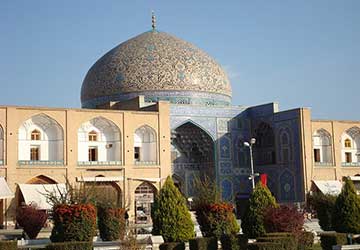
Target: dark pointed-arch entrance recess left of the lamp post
(192,156)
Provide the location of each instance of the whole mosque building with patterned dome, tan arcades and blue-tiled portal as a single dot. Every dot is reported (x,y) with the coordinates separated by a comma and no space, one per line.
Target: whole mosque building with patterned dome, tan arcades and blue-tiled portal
(155,106)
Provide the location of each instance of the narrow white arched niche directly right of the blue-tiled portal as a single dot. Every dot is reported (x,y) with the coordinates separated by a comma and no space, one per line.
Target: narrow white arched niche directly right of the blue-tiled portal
(322,145)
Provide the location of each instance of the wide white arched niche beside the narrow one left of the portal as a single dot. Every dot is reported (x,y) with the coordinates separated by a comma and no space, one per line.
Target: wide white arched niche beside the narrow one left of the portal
(106,149)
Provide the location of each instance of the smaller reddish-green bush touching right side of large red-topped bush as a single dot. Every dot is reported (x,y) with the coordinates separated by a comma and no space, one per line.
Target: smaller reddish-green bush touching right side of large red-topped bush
(111,222)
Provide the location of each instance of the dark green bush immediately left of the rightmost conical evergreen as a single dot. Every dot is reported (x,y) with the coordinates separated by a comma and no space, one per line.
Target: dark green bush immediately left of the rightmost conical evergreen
(323,205)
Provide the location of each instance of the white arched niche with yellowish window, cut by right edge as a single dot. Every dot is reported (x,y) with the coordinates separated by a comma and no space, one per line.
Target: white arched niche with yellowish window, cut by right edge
(350,156)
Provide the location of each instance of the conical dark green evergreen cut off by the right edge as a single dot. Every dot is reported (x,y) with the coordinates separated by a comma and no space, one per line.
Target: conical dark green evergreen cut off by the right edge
(346,214)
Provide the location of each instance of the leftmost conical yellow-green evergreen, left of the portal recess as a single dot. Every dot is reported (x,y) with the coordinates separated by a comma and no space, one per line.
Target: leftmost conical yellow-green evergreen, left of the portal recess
(170,215)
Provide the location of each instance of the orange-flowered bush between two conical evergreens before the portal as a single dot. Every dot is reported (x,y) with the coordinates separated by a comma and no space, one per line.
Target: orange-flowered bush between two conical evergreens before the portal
(217,219)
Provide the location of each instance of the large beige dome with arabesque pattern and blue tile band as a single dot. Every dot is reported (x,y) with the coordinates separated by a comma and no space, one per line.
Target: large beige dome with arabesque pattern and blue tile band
(160,67)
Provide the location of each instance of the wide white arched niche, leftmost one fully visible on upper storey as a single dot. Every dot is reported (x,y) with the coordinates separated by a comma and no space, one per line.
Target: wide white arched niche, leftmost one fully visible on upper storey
(50,147)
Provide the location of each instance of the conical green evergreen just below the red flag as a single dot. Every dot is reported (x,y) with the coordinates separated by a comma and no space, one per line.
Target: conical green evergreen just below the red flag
(253,220)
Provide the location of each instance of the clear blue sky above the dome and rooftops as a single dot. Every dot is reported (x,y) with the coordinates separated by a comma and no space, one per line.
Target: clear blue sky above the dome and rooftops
(298,53)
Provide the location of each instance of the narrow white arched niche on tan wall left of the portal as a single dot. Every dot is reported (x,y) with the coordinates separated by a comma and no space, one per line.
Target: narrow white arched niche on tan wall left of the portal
(145,146)
